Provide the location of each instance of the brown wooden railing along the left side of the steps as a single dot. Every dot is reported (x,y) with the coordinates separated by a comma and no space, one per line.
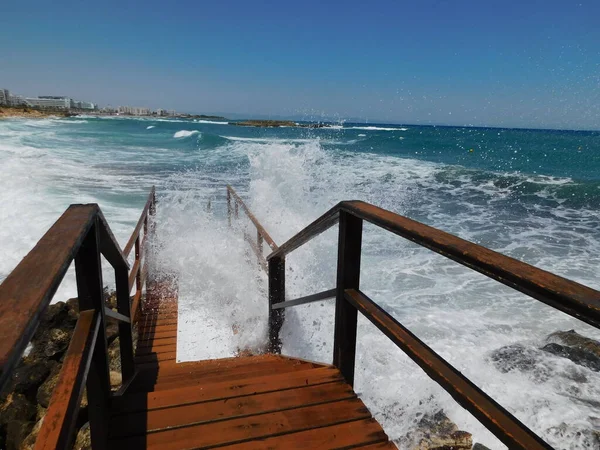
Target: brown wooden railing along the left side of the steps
(80,234)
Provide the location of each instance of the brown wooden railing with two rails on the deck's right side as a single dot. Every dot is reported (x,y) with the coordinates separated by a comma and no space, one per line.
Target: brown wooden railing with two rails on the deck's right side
(572,298)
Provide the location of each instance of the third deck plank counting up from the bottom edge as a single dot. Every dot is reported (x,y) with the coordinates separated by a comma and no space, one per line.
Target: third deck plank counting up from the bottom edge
(227,409)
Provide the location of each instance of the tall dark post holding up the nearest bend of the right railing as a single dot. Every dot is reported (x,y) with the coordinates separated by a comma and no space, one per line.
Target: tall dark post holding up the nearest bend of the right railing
(348,277)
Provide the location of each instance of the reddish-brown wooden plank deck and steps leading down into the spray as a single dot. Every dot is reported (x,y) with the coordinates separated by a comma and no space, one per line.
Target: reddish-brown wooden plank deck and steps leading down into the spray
(256,402)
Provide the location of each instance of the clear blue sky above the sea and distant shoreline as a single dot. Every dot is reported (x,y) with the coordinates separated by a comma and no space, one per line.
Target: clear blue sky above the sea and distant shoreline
(499,63)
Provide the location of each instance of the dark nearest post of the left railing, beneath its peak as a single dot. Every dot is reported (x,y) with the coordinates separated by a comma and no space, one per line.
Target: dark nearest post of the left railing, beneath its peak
(88,270)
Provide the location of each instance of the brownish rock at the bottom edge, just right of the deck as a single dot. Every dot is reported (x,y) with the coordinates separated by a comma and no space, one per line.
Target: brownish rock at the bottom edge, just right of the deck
(438,432)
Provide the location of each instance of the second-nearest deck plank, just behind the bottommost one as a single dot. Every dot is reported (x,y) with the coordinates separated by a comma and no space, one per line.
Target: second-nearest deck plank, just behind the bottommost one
(240,430)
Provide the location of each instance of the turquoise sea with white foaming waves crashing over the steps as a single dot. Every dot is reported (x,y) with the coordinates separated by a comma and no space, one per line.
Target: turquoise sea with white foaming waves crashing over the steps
(531,194)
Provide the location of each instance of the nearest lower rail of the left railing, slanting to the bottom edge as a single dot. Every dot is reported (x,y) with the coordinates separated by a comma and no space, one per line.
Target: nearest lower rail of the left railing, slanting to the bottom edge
(59,421)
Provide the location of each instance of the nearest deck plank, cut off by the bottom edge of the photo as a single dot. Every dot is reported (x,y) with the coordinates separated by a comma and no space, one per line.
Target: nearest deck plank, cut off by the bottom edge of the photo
(346,435)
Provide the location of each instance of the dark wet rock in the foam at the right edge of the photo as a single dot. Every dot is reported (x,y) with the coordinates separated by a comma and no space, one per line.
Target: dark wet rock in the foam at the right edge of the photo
(572,345)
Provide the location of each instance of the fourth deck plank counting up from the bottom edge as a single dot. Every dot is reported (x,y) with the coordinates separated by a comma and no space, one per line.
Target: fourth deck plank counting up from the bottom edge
(222,390)
